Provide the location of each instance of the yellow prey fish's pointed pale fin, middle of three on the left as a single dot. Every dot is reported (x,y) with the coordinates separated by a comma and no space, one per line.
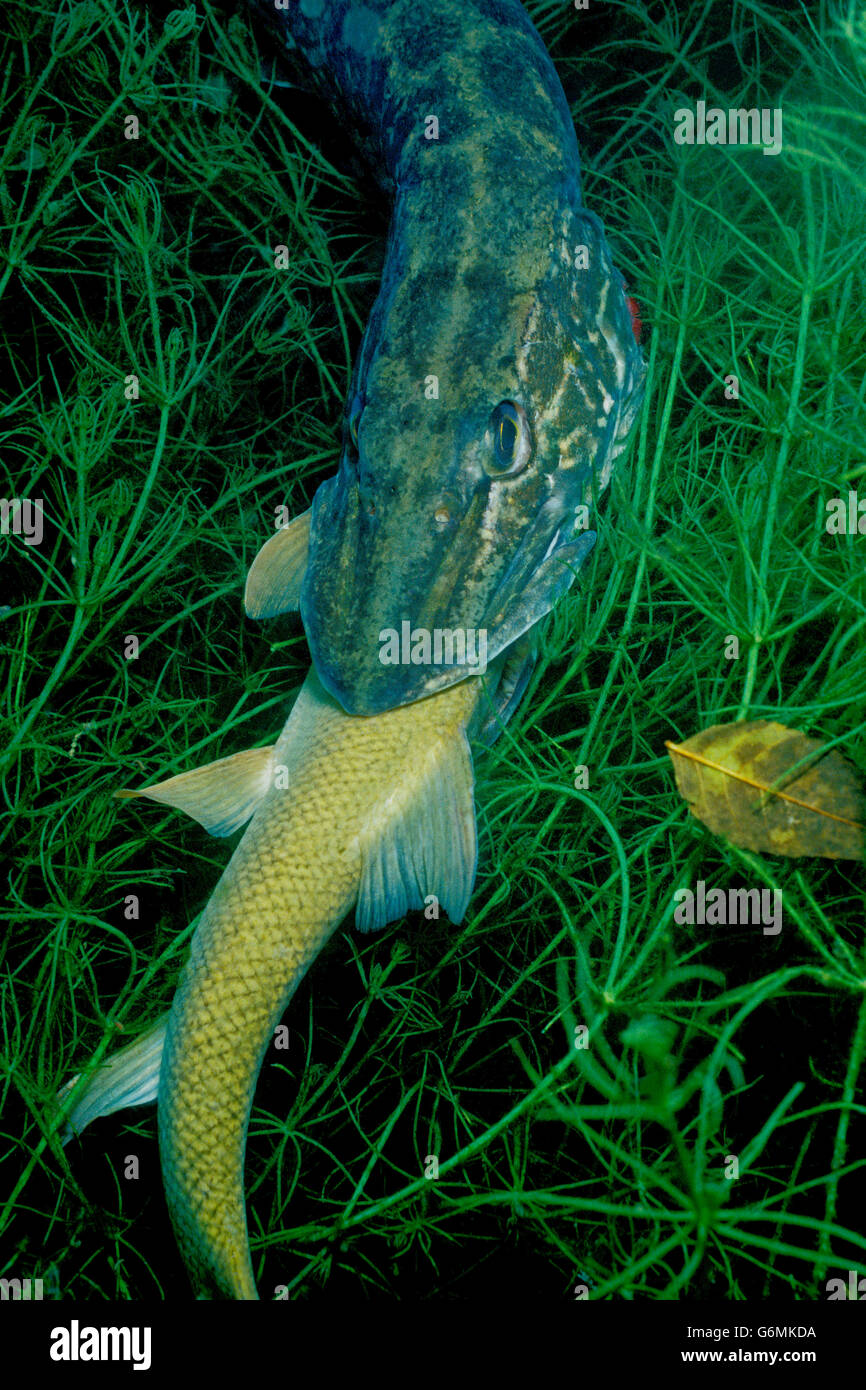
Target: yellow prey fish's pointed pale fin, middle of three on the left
(222,796)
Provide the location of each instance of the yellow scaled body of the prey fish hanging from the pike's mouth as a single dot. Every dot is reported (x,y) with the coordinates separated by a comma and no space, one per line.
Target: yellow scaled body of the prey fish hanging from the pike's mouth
(291,882)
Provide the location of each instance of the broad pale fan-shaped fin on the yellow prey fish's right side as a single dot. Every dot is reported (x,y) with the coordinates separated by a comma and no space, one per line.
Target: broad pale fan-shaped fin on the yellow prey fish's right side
(425,849)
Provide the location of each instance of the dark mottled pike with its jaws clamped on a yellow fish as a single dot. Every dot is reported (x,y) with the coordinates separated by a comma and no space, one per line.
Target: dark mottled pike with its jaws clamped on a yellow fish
(484,290)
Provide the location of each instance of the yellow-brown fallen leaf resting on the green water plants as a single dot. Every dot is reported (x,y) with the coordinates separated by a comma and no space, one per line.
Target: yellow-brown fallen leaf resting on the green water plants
(771,789)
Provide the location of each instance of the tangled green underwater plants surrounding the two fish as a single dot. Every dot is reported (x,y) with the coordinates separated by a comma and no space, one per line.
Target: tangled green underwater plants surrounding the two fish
(619,1103)
